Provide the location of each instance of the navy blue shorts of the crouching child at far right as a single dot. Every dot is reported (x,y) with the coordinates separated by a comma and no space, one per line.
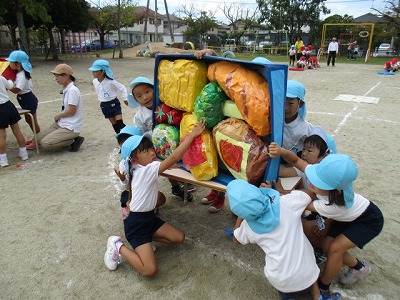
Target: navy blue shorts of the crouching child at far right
(363,229)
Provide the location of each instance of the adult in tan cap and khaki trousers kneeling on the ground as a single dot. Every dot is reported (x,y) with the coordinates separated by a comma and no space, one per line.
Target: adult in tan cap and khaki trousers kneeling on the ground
(66,129)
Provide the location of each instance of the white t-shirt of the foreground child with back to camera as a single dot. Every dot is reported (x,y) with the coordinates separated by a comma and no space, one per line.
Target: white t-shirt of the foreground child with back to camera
(289,257)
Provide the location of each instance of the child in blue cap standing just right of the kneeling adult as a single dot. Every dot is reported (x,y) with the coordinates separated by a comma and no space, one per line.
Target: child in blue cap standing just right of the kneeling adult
(107,88)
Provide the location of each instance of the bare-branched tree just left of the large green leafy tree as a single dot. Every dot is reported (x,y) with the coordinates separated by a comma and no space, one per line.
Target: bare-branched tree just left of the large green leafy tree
(240,19)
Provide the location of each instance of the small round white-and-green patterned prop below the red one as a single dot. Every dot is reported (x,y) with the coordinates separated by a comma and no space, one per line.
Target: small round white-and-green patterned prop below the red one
(165,139)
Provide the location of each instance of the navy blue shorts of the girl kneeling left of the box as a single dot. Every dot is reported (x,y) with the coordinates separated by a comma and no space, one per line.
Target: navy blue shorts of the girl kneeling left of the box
(140,227)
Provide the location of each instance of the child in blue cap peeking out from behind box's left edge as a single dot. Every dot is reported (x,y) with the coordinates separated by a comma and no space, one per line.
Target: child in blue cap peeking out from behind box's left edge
(142,98)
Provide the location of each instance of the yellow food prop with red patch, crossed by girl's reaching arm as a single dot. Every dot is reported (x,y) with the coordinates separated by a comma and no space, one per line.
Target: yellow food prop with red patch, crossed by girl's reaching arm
(201,156)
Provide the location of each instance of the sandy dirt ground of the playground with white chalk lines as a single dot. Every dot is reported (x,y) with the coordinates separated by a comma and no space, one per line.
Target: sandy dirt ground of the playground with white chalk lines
(58,208)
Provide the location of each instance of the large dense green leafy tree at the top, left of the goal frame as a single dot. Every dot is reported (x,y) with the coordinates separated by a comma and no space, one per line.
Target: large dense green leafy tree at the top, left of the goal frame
(291,15)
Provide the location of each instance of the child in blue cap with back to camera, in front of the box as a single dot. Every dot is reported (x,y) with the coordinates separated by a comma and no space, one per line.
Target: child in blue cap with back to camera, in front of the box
(274,223)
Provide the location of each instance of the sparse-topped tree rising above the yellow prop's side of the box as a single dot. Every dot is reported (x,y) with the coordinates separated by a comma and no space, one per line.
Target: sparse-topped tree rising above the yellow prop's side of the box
(199,24)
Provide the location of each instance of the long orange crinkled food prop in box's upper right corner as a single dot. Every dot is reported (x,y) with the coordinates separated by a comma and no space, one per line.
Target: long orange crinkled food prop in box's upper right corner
(249,91)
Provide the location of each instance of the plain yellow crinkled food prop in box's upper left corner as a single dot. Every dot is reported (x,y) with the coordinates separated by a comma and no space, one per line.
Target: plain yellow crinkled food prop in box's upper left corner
(180,82)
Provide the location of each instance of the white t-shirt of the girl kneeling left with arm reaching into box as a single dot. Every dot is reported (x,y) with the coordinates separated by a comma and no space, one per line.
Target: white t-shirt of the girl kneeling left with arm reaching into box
(144,187)
